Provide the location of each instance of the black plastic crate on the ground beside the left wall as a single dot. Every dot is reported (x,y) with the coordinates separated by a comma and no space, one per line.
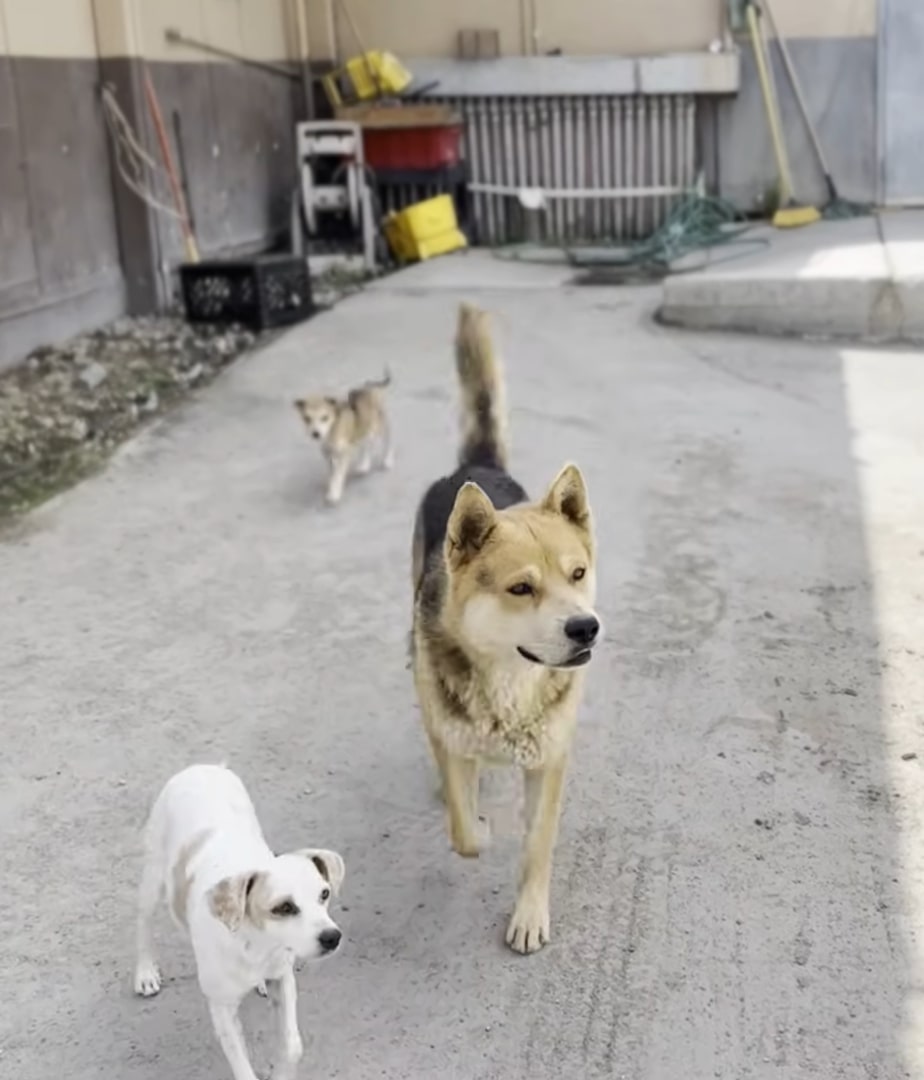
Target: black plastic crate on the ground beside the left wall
(263,292)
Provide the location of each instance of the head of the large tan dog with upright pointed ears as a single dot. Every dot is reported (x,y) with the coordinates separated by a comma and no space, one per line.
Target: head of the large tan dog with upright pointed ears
(522,583)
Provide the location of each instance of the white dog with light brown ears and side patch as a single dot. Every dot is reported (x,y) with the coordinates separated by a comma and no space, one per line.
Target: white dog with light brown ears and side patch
(250,914)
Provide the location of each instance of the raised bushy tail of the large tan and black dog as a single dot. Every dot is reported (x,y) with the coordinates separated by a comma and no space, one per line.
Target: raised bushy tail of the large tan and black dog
(482,382)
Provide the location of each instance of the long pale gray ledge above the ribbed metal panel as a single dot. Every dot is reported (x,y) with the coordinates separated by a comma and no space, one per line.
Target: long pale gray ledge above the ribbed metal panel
(575,76)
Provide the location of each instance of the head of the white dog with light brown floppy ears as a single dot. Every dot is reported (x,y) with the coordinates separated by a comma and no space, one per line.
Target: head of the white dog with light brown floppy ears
(288,902)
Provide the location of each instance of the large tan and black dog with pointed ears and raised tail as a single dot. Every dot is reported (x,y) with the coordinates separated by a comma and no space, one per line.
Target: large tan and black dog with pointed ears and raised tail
(504,626)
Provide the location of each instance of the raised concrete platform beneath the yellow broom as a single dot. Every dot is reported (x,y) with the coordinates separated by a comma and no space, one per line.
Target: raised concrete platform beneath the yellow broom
(862,278)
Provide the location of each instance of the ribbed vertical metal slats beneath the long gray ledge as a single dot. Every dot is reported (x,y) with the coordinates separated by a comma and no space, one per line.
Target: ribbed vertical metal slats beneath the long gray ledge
(601,142)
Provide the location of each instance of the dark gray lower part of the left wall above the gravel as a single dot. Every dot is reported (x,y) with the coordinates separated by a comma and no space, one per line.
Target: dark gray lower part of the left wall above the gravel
(76,247)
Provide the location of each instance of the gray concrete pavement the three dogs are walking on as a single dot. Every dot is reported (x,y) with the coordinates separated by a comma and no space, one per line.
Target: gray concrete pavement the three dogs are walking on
(740,882)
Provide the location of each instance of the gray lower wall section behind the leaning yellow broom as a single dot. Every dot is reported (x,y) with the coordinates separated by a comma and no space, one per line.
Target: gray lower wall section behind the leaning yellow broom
(839,79)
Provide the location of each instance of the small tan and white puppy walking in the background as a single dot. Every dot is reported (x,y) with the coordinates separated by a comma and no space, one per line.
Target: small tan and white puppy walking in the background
(350,431)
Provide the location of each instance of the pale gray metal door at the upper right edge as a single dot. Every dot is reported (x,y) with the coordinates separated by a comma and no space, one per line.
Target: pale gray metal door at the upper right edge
(901,98)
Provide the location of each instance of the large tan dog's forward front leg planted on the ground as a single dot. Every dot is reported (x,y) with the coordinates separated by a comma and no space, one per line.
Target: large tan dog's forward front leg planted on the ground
(528,929)
